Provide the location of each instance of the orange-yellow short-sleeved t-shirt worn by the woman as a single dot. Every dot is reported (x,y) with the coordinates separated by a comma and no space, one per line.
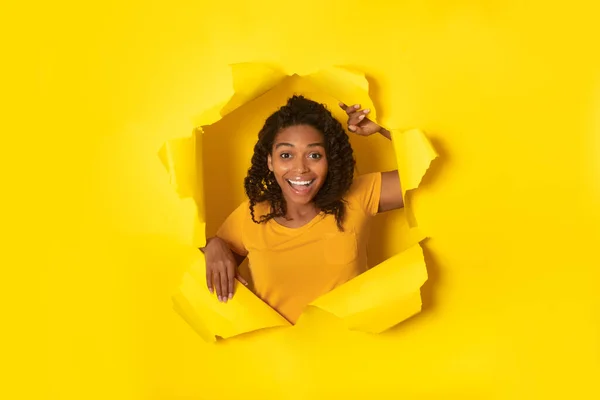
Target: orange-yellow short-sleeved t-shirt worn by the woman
(291,267)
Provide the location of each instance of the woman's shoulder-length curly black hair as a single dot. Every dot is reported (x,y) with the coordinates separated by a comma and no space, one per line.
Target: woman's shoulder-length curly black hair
(260,184)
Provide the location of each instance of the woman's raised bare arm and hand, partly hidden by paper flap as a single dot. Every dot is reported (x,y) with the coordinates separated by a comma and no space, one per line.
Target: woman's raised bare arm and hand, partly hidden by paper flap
(391,187)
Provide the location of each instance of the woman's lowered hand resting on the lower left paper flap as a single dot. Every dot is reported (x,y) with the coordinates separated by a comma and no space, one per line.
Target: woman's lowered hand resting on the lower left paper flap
(221,269)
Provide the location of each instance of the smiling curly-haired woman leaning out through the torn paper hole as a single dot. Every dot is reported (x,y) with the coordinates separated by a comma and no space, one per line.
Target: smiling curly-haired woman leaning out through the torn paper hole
(305,224)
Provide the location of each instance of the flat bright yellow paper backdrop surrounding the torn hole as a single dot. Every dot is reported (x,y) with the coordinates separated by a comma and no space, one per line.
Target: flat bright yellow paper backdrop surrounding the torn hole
(95,239)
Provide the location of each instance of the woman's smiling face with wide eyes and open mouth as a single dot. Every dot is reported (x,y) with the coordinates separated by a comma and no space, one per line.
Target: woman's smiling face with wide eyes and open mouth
(299,163)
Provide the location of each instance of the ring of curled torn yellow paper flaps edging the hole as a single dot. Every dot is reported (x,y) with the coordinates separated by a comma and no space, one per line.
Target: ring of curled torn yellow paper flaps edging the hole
(373,302)
